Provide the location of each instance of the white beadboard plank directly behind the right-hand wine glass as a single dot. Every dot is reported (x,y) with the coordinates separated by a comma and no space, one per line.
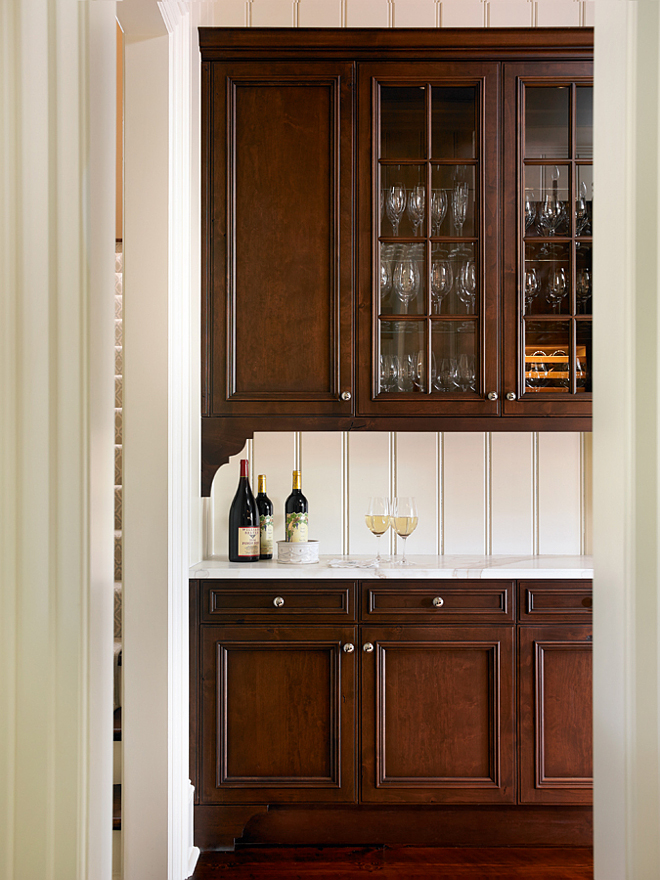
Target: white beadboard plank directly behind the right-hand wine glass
(417,475)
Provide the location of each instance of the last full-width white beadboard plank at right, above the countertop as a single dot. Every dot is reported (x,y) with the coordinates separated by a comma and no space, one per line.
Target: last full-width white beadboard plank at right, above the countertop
(559,493)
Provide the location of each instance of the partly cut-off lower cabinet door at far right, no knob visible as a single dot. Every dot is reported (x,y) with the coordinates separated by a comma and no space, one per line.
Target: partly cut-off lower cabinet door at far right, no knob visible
(555,693)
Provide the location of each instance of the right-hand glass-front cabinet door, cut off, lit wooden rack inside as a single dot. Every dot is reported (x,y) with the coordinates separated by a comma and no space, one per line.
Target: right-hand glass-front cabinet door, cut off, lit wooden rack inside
(547,283)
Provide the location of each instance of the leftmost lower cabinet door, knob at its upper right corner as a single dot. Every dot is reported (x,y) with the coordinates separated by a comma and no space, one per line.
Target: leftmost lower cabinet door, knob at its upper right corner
(277,714)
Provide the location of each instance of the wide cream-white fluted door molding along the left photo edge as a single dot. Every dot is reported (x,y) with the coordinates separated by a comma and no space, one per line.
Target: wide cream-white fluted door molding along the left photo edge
(56,452)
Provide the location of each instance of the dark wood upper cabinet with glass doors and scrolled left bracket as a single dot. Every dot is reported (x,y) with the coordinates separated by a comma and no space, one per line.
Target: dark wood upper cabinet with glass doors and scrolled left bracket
(396,231)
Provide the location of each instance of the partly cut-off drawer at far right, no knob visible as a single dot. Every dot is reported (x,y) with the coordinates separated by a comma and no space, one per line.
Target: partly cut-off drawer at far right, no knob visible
(554,601)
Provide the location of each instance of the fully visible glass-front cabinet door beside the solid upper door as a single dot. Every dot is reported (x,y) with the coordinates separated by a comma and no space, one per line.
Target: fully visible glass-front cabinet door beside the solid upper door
(427,193)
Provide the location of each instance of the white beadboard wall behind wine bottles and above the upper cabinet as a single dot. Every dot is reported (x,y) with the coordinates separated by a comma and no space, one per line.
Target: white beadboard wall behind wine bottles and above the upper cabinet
(523,493)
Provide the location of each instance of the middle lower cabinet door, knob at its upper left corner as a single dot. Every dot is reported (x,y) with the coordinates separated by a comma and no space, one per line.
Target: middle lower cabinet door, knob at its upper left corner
(437,715)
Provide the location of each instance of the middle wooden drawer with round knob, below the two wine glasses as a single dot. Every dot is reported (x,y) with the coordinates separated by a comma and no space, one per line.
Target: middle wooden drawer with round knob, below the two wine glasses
(438,602)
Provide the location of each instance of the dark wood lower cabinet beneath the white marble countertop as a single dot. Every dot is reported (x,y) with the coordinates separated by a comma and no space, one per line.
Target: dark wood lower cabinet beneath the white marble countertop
(436,695)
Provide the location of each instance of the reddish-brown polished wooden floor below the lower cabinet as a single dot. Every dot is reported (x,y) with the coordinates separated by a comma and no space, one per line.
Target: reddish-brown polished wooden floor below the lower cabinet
(396,862)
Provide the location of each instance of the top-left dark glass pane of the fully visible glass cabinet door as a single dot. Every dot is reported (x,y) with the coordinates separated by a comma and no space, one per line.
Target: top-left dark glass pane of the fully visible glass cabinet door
(403,122)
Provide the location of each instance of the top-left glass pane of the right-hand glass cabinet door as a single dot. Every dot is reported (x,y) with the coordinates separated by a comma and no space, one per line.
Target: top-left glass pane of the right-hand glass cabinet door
(547,122)
